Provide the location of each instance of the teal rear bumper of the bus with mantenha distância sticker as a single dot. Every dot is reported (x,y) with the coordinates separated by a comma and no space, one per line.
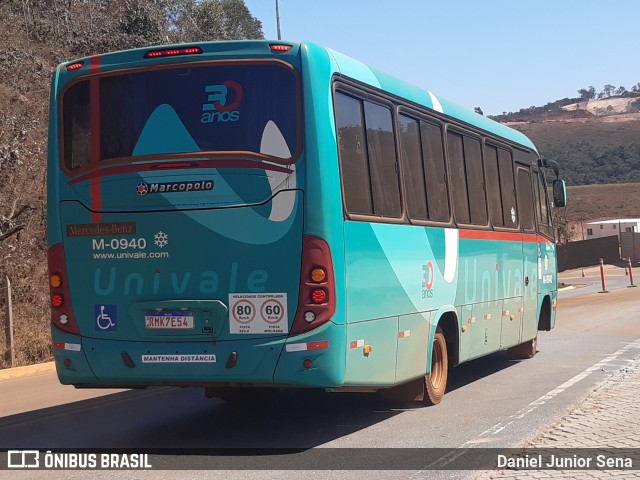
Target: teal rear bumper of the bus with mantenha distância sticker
(90,362)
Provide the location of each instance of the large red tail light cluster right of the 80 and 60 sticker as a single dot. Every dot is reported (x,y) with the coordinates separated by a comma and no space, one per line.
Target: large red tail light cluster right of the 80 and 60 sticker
(317,298)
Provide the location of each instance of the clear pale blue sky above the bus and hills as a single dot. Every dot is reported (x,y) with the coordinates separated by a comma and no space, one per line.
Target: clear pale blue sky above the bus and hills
(499,55)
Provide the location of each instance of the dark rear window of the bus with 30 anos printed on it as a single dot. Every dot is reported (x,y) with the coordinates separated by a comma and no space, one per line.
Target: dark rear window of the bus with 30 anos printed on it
(185,109)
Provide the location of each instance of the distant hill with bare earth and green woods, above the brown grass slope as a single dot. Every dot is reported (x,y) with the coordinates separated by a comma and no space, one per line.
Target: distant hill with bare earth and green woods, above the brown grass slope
(595,140)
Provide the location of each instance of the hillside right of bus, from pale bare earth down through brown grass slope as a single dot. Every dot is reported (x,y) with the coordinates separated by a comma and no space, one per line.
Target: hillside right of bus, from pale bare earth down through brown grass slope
(597,146)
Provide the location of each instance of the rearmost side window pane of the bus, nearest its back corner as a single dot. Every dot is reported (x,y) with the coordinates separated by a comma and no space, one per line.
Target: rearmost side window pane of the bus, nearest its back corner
(356,184)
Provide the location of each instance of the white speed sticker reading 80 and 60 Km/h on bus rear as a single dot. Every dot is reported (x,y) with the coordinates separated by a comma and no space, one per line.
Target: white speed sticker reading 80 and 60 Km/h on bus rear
(258,313)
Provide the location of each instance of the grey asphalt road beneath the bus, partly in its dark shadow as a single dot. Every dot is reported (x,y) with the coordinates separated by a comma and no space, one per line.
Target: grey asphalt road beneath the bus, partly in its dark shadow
(491,402)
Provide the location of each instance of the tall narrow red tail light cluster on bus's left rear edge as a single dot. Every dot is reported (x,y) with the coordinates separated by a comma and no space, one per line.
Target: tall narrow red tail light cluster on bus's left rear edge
(61,311)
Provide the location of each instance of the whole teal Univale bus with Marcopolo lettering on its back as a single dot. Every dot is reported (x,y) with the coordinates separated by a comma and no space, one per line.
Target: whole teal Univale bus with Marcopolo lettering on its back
(244,215)
